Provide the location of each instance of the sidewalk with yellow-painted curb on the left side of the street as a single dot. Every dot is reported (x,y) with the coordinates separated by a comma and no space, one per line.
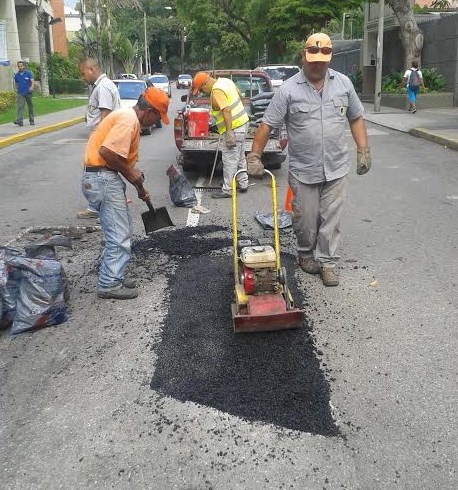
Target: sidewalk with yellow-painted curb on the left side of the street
(10,133)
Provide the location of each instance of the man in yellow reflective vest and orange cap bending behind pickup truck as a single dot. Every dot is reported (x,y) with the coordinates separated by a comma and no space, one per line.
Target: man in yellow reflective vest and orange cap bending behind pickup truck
(232,123)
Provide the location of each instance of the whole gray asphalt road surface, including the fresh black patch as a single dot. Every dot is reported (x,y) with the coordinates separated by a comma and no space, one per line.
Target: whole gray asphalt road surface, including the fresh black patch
(159,393)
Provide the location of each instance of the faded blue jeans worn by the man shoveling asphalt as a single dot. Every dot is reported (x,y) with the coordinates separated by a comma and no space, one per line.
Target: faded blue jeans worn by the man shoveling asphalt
(106,192)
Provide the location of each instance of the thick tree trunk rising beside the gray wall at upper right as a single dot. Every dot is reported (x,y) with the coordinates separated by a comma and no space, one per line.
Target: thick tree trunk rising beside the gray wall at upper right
(409,33)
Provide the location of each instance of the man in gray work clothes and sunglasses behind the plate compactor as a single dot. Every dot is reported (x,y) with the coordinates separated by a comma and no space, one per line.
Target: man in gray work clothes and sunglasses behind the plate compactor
(315,105)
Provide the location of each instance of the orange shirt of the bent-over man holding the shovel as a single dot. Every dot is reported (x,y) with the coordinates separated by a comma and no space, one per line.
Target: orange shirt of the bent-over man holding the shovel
(120,133)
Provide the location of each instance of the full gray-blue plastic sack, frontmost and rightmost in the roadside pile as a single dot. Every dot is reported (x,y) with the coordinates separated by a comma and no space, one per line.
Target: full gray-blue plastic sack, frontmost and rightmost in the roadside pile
(40,301)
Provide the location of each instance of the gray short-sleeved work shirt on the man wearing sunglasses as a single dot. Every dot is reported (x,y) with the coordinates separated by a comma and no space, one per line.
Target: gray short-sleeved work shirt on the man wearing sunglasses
(315,123)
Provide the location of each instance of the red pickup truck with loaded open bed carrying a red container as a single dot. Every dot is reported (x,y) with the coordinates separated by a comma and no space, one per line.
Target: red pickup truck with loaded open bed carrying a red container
(198,147)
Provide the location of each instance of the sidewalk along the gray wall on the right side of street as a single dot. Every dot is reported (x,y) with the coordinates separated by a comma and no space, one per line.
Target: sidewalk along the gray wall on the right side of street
(438,125)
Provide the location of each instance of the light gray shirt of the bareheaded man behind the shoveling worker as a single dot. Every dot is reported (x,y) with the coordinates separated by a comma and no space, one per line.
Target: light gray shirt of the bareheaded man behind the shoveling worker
(104,95)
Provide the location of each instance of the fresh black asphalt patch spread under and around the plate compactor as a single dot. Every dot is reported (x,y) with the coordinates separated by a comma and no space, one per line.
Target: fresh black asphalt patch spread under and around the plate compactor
(273,377)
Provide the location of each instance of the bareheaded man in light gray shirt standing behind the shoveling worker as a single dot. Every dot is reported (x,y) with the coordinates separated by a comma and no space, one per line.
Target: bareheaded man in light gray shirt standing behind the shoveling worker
(103,100)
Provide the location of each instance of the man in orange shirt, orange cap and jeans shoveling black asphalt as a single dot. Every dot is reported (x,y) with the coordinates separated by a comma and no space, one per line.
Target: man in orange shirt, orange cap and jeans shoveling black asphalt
(112,151)
